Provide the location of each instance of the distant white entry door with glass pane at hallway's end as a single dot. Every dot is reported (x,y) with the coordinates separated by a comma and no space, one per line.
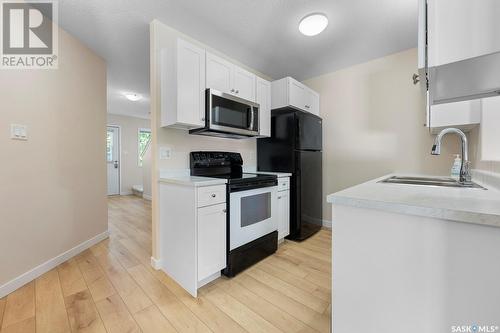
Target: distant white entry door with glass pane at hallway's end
(113,159)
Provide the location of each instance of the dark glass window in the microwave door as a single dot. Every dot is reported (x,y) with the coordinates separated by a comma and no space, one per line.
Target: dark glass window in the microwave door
(230,113)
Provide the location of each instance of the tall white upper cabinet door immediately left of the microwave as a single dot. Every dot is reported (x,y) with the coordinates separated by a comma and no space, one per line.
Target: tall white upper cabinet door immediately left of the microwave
(190,84)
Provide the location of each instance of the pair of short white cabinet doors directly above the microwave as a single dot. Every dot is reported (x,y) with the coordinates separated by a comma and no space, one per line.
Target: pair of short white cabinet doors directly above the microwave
(229,78)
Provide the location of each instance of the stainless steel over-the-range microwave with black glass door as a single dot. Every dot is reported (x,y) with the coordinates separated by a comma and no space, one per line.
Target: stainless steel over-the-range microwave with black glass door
(229,116)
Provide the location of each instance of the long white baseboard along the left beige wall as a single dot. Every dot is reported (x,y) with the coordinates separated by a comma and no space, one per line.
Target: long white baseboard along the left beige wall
(32,274)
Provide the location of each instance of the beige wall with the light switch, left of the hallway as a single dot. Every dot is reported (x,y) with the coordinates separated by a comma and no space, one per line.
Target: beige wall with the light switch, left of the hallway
(53,186)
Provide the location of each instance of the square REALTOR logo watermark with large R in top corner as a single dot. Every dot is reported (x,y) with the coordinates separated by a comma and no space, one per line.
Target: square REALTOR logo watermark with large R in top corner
(29,37)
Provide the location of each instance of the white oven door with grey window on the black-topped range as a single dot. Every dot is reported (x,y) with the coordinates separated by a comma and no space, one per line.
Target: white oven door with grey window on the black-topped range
(252,214)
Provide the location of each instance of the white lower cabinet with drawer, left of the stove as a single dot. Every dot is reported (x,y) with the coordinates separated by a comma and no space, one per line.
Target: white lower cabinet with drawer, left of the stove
(192,233)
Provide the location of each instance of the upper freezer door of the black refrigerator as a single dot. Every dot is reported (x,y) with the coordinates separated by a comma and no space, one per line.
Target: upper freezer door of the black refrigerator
(308,131)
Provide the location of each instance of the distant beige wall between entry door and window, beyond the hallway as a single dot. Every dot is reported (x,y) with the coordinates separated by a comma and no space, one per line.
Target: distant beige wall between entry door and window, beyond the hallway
(131,173)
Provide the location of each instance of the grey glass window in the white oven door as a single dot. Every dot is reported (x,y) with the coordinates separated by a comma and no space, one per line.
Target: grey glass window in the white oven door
(255,208)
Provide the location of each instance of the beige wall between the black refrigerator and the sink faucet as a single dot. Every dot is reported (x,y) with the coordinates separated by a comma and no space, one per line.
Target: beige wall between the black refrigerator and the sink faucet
(373,124)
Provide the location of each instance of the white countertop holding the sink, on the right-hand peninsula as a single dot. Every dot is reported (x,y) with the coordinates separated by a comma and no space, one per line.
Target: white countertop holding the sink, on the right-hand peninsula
(456,204)
